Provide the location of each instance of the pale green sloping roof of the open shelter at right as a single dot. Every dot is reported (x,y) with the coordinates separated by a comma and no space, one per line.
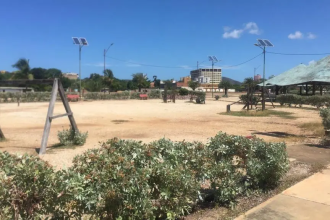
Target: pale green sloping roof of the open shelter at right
(315,72)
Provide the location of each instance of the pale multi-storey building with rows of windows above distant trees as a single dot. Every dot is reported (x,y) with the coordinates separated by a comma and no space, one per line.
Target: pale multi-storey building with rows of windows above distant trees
(206,75)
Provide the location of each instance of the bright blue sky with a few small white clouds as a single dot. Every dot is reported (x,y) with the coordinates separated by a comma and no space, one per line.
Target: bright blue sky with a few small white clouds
(171,33)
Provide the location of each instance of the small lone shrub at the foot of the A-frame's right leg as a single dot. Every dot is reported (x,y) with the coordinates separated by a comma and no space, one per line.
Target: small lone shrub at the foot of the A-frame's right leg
(69,137)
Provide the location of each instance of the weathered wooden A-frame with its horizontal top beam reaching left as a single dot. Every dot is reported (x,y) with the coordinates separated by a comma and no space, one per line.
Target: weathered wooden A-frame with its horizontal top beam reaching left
(57,89)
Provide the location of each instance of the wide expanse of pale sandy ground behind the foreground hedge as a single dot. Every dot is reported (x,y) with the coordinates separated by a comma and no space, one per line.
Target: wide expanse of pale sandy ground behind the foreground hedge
(144,120)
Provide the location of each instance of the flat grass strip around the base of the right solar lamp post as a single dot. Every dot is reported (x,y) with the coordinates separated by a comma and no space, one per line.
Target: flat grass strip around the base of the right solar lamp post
(266,113)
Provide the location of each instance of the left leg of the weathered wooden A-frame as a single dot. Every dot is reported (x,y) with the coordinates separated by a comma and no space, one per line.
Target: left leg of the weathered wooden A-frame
(48,120)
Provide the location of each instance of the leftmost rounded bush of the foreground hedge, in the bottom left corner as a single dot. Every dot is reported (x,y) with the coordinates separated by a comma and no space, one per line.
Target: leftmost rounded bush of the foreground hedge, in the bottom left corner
(28,187)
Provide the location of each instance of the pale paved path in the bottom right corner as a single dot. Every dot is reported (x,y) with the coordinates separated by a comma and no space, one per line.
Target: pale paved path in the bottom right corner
(309,199)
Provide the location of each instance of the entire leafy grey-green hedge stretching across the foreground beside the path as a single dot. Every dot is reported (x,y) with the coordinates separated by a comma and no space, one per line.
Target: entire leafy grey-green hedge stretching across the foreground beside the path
(131,180)
